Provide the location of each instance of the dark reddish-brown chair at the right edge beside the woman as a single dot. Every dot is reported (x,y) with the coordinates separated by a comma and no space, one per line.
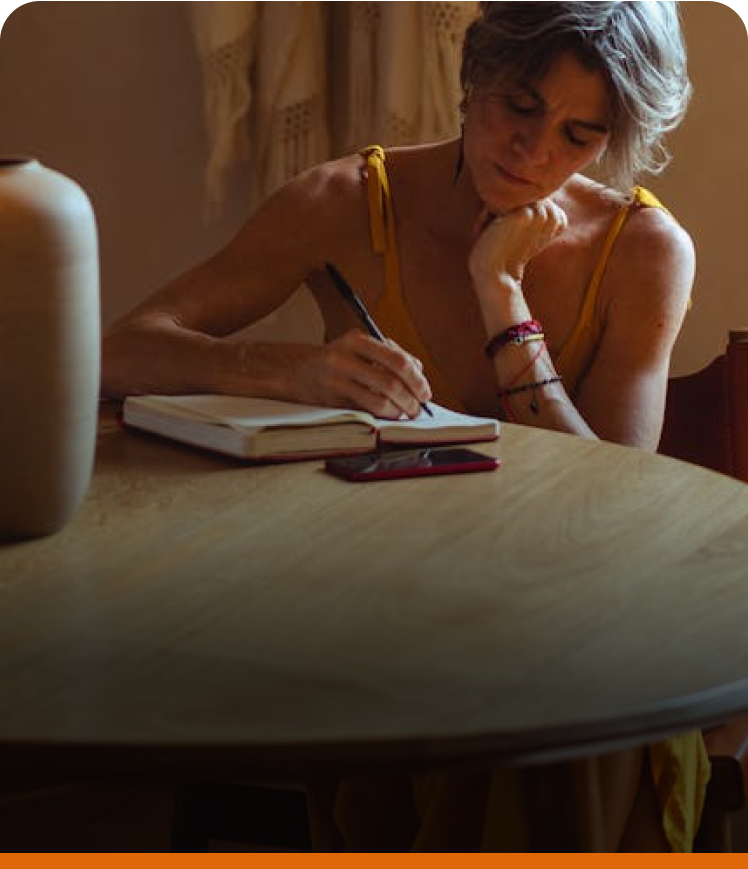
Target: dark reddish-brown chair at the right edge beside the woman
(706,423)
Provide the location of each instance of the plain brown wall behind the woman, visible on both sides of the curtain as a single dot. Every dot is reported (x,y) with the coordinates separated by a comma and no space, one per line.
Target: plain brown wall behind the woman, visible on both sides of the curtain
(109,93)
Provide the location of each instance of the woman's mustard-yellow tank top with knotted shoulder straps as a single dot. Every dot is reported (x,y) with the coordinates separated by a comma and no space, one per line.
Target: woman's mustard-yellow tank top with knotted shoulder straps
(395,320)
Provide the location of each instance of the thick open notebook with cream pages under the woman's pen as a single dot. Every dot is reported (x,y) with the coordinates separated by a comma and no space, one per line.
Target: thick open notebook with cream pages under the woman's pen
(263,429)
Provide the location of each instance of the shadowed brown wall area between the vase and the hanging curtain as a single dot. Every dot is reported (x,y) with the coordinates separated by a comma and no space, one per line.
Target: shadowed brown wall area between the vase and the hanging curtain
(108,92)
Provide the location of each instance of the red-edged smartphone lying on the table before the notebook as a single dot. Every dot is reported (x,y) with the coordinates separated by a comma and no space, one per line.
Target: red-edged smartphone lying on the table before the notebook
(410,463)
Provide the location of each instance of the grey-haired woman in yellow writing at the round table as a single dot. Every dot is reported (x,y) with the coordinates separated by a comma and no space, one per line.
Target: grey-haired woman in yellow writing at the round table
(508,282)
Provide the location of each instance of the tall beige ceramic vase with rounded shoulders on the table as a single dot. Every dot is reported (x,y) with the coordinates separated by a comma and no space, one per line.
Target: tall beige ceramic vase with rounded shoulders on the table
(49,347)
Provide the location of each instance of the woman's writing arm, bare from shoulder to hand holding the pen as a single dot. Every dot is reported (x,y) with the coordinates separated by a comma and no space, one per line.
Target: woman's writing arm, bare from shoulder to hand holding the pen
(180,339)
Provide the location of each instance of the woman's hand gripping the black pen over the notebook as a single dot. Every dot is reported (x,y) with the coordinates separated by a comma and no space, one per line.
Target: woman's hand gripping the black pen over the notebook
(356,370)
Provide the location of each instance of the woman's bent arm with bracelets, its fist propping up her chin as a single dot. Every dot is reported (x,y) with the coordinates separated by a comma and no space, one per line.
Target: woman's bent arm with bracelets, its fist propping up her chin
(644,297)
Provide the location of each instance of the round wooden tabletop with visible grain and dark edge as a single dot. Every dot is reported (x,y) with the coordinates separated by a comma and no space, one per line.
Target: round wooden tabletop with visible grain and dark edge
(201,615)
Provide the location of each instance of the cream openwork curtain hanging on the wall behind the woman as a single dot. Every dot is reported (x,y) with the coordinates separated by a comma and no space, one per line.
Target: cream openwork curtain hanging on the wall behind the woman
(289,84)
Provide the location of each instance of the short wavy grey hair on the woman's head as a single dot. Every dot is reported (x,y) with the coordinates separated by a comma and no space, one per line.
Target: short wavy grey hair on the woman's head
(637,45)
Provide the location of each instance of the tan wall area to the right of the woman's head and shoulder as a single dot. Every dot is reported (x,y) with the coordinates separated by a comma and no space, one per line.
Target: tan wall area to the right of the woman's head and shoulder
(707,184)
